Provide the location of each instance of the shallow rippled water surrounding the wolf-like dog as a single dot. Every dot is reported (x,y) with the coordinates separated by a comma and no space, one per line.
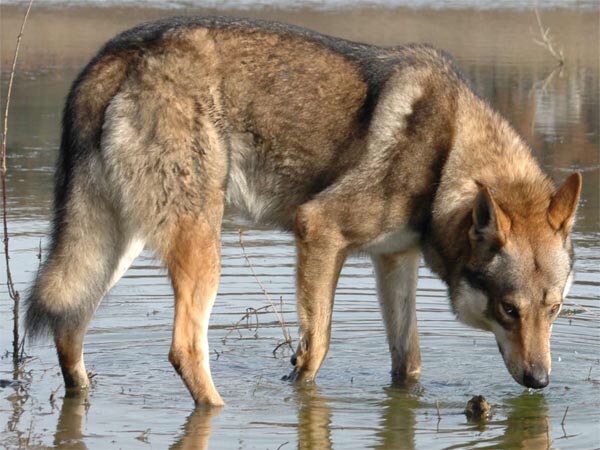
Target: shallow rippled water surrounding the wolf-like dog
(137,401)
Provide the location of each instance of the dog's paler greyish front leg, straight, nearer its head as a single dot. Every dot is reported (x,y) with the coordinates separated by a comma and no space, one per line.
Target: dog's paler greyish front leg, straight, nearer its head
(397,288)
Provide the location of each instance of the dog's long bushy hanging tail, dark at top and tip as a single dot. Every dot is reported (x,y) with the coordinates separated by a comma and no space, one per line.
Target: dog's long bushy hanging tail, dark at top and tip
(88,240)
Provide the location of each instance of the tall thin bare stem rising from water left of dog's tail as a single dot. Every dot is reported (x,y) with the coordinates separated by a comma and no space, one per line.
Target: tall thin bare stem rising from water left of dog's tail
(14,295)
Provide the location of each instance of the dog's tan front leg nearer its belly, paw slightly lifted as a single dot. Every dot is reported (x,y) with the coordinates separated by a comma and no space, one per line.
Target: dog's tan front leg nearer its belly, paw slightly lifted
(321,254)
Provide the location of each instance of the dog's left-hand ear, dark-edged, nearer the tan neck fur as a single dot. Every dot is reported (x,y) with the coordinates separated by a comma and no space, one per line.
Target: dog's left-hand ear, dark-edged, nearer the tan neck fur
(491,225)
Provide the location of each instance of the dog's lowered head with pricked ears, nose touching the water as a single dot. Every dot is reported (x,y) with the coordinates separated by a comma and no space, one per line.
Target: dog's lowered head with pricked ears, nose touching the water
(519,271)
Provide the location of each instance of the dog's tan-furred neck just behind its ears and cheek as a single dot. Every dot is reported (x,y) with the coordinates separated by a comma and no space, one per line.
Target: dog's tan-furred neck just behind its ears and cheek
(486,152)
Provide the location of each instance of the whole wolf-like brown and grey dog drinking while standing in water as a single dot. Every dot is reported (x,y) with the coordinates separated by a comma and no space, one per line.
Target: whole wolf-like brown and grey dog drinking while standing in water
(352,147)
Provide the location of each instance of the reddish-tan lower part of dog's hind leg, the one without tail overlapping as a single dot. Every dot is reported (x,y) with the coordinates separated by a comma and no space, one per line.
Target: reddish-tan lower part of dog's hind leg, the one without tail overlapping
(193,261)
